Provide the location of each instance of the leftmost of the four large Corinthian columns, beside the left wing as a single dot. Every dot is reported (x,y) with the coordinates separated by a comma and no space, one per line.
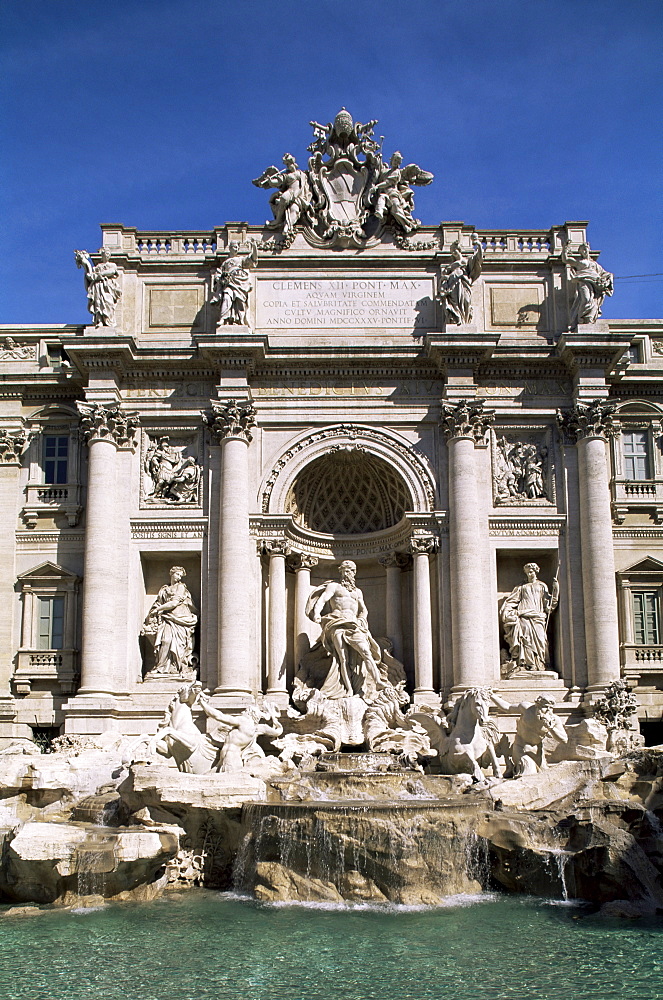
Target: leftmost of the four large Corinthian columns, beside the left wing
(105,429)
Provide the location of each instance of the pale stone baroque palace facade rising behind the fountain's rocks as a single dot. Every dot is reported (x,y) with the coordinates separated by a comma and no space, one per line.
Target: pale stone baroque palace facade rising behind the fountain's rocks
(441,406)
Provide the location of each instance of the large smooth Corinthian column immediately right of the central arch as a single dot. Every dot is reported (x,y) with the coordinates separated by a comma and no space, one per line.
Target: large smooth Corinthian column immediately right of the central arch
(464,425)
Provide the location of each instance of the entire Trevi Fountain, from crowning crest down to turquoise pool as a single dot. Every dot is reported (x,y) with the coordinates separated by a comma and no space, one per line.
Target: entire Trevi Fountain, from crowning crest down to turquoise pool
(332,661)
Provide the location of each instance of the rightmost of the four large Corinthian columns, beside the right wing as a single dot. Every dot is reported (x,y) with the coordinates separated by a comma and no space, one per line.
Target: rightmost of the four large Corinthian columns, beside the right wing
(591,425)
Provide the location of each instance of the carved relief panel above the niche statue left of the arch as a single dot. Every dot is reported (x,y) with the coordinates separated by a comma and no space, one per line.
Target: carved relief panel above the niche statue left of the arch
(171,474)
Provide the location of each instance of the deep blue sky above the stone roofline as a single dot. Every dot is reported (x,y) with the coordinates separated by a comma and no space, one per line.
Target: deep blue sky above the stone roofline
(157,114)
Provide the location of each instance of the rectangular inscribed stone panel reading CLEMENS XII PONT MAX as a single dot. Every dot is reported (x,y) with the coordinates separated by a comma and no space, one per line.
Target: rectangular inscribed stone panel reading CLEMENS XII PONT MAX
(338,303)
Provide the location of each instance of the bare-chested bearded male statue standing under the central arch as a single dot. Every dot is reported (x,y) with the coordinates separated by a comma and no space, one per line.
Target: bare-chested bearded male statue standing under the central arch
(345,636)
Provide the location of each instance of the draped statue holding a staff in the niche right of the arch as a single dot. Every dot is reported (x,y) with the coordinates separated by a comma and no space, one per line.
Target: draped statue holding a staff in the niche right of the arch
(525,614)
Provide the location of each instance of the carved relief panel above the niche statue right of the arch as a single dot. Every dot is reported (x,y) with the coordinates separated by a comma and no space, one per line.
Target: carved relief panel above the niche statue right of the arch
(522,467)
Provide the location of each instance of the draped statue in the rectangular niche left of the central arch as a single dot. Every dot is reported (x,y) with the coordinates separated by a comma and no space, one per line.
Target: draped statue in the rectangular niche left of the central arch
(172,620)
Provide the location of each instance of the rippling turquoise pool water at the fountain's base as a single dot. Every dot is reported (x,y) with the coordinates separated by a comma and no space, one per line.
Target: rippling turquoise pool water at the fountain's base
(200,945)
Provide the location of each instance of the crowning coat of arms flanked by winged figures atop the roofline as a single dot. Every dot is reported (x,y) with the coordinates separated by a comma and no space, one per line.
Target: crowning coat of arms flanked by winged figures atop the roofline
(348,191)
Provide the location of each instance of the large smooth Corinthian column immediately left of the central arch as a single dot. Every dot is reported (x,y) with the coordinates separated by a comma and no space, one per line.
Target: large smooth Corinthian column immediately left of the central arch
(231,423)
